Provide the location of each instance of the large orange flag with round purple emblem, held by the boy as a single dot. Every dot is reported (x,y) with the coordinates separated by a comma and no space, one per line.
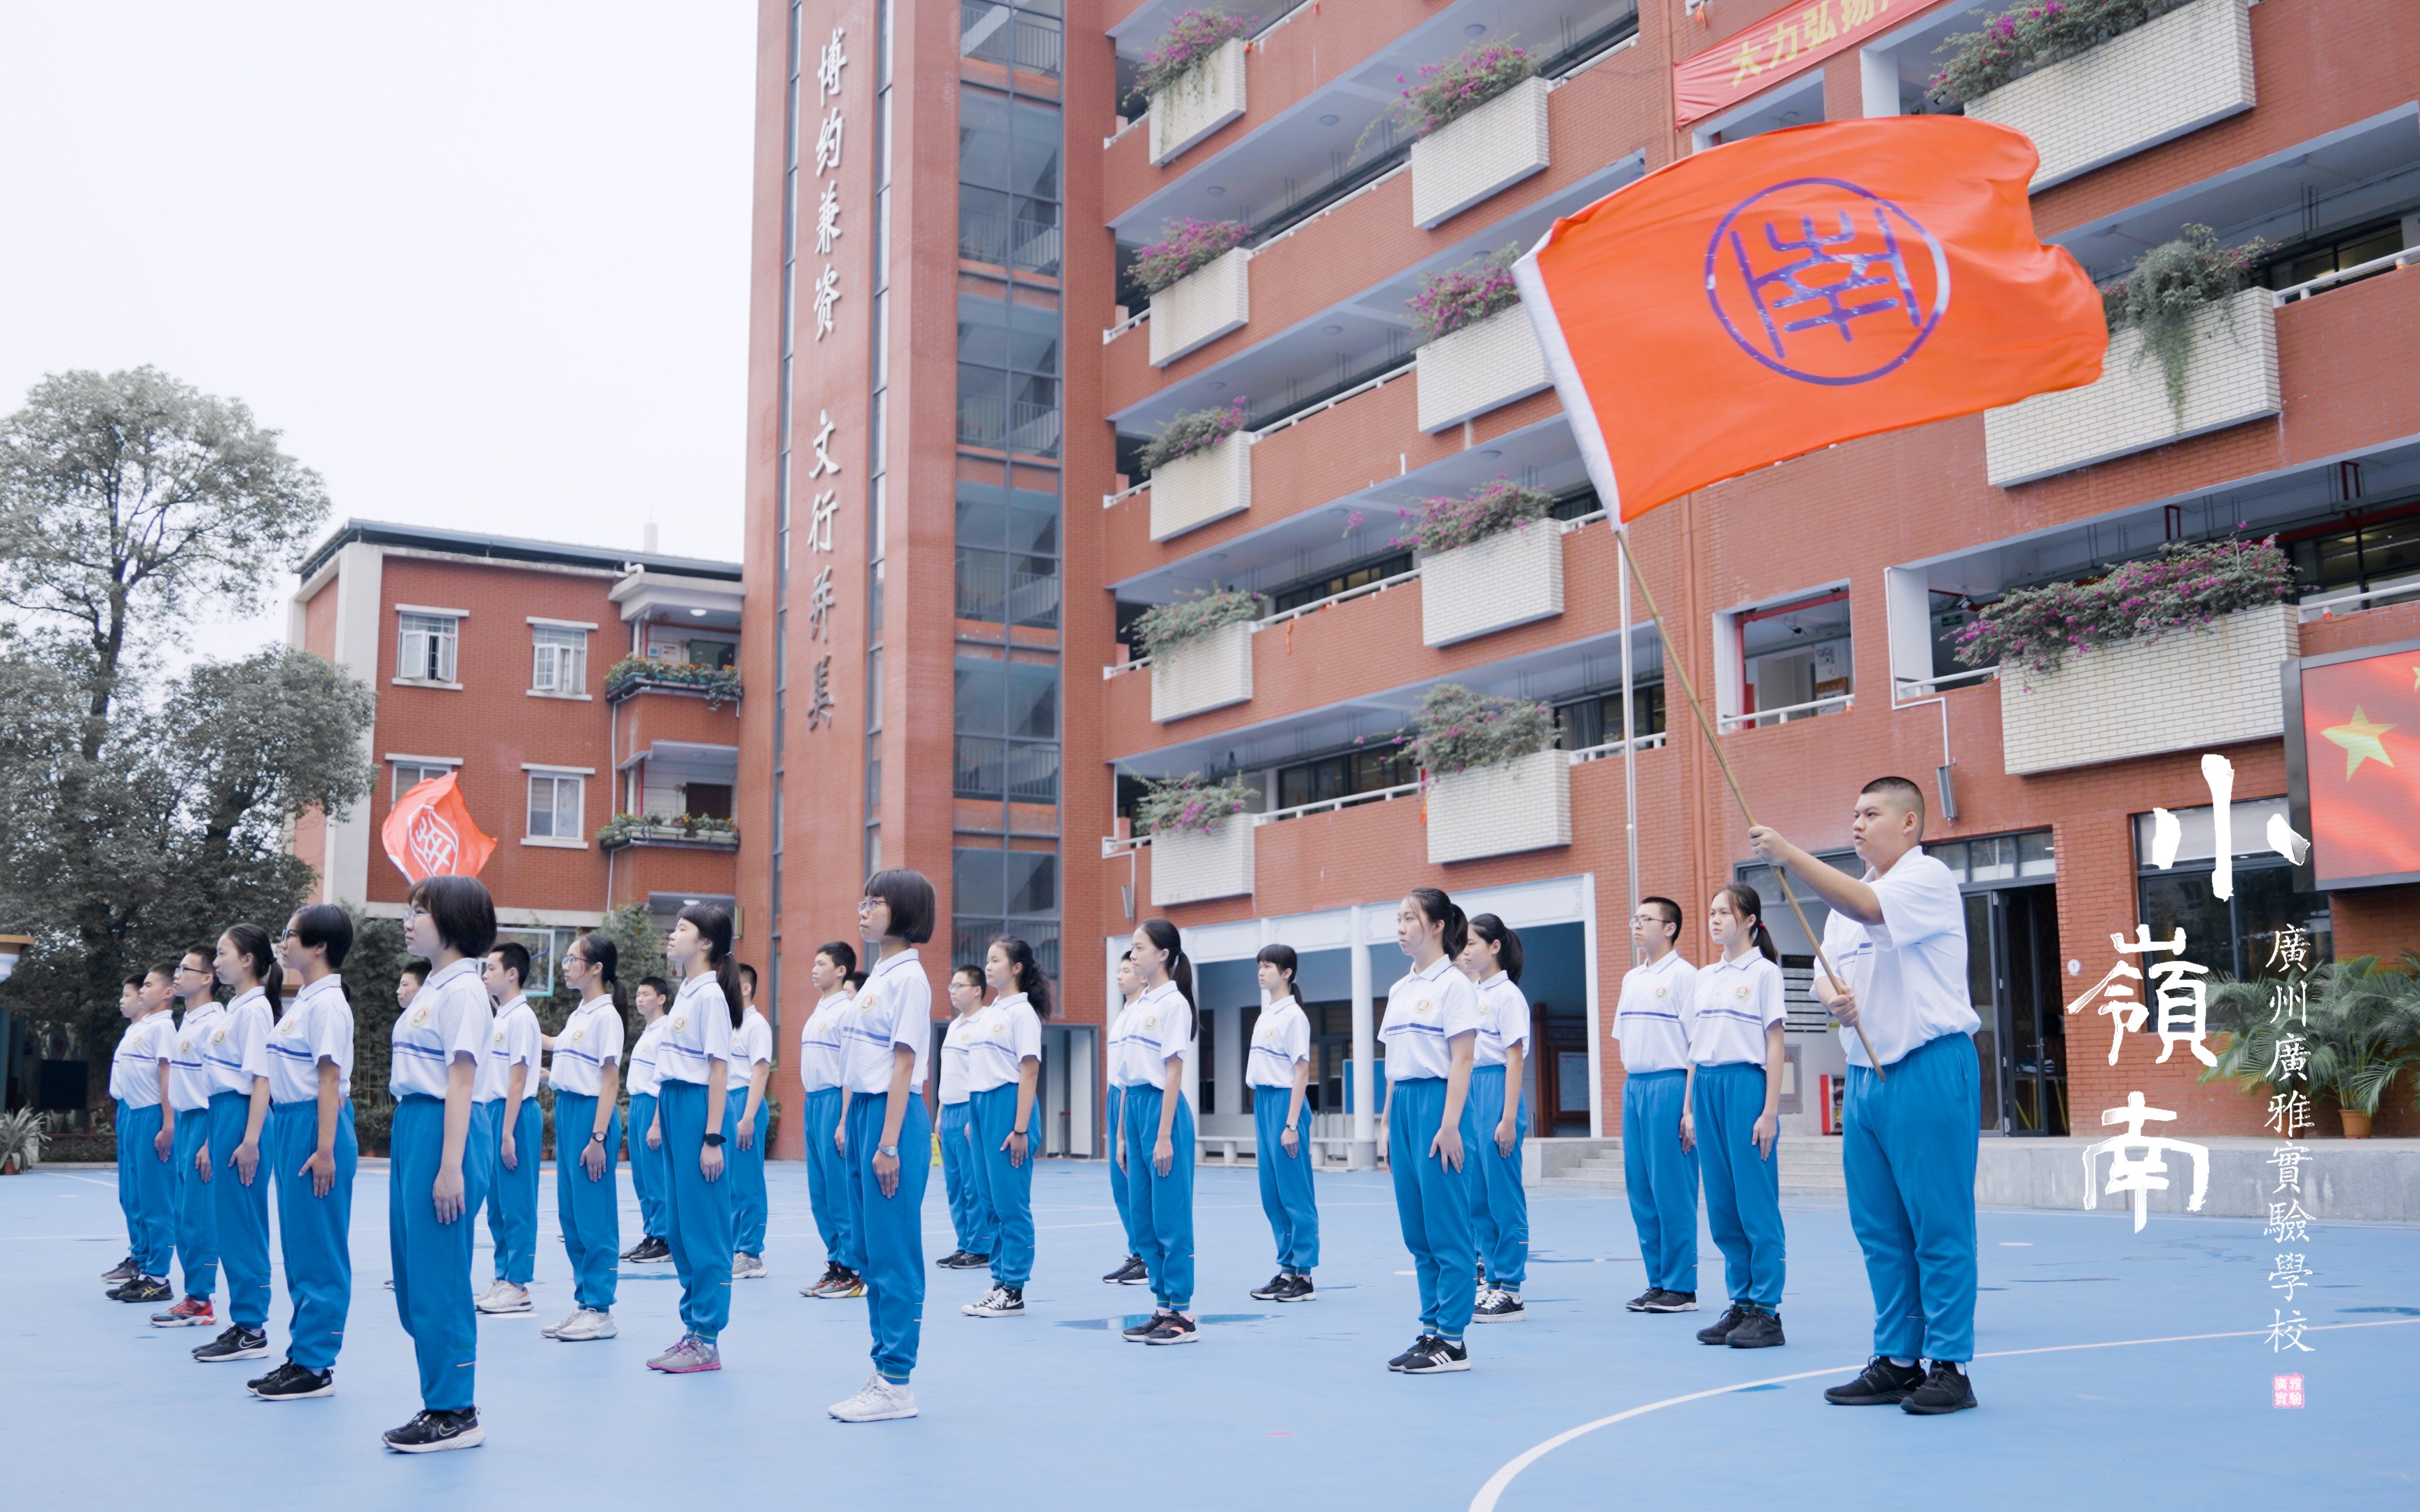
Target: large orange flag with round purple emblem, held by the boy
(1807,287)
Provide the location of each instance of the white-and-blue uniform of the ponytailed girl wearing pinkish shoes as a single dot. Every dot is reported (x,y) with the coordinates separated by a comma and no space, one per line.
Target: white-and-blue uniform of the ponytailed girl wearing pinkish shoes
(696,1211)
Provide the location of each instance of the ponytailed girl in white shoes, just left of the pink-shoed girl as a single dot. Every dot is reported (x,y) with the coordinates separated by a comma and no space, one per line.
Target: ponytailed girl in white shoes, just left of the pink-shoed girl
(587,1136)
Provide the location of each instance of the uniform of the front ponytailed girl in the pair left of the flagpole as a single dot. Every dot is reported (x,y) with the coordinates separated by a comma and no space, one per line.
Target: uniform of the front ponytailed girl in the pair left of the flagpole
(1424,1015)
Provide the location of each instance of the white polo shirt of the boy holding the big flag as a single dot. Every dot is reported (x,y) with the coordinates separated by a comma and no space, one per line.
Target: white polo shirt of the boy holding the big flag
(1911,969)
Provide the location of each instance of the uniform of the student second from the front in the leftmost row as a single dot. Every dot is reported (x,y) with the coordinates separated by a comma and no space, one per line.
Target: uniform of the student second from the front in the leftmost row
(316,1235)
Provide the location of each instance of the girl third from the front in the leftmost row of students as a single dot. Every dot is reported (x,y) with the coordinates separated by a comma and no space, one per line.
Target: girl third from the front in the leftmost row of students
(238,1070)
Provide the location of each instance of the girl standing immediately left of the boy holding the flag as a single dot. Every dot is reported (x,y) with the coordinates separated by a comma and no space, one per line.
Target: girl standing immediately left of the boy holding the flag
(1734,1116)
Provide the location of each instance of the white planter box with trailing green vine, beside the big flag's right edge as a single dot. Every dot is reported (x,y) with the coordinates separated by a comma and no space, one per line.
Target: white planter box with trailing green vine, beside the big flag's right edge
(2232,379)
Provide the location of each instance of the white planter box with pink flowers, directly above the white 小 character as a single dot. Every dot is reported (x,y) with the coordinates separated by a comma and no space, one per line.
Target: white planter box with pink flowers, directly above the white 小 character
(2145,698)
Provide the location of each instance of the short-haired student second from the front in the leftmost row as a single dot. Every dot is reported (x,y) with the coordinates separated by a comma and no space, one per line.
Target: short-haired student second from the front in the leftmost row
(313,1153)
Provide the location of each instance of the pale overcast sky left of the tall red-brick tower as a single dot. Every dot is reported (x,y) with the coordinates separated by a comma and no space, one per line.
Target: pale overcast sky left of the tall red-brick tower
(485,265)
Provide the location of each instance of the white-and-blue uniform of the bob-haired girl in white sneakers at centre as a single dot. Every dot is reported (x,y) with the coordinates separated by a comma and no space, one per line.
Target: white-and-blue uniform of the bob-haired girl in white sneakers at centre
(892,1010)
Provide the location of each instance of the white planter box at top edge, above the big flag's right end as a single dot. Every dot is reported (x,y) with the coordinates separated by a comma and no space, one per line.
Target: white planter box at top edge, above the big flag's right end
(2150,86)
